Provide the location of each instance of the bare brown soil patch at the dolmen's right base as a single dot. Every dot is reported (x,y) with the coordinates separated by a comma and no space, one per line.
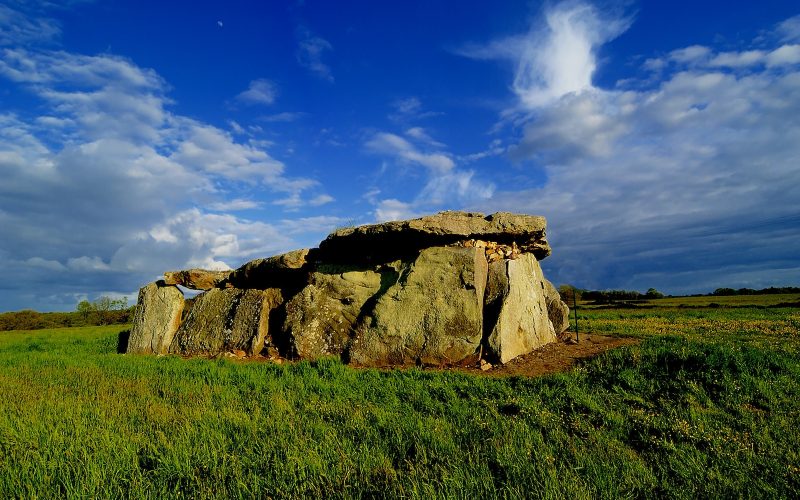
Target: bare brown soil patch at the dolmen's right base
(552,358)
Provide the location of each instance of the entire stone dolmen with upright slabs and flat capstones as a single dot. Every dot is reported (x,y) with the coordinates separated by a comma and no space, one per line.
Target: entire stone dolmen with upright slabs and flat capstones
(451,288)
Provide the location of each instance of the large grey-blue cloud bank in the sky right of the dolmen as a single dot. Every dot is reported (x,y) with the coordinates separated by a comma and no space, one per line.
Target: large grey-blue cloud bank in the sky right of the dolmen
(687,185)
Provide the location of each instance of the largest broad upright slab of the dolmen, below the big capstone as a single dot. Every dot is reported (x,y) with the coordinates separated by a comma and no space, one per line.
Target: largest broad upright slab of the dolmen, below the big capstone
(432,314)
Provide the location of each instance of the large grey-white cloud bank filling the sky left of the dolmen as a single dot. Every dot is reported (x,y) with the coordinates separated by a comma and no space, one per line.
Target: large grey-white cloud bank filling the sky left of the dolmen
(100,190)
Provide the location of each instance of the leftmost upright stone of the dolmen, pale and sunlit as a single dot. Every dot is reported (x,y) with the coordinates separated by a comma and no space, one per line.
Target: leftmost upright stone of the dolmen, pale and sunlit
(157,318)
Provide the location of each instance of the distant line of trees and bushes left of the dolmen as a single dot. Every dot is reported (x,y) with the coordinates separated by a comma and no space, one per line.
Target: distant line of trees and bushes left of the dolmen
(103,311)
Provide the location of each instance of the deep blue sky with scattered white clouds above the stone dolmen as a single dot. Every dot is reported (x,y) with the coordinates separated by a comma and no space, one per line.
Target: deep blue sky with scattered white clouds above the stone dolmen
(660,139)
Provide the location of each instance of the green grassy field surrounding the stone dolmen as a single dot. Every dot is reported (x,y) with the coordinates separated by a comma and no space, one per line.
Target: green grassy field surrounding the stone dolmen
(707,406)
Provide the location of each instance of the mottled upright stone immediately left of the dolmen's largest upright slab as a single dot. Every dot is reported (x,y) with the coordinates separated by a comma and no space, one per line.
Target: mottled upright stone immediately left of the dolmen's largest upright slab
(320,318)
